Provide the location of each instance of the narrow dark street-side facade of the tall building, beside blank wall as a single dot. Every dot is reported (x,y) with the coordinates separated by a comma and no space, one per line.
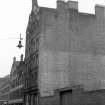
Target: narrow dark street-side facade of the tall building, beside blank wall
(32,58)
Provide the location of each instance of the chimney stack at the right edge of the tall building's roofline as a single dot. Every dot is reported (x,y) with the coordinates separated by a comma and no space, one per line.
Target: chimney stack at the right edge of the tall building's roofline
(100,11)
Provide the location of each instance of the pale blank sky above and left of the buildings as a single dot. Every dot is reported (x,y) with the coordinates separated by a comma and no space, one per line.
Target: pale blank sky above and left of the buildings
(13,21)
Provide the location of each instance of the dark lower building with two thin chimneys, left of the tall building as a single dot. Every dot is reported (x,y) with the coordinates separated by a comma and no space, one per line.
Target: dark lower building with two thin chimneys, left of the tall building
(16,83)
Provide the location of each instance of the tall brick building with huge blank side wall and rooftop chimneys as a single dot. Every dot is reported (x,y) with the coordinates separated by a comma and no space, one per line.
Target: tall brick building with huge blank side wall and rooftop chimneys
(65,55)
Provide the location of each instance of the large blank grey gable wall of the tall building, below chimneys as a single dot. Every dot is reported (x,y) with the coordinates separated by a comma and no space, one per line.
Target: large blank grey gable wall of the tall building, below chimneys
(72,47)
